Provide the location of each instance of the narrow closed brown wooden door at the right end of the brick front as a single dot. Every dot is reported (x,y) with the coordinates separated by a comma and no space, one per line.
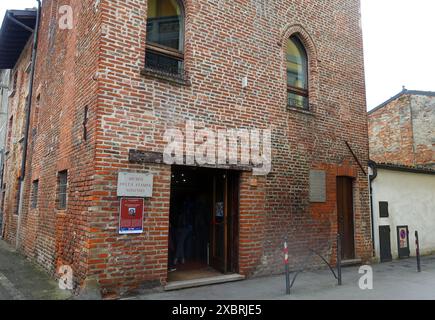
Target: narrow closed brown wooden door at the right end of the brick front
(346,217)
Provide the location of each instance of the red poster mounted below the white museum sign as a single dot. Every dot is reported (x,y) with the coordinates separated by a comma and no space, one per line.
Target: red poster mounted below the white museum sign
(131,215)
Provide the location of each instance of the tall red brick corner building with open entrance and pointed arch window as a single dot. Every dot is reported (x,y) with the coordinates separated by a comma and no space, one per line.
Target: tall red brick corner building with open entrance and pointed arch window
(109,85)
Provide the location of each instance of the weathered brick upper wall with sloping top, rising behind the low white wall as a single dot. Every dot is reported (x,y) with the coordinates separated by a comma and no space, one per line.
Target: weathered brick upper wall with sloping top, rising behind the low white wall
(401,130)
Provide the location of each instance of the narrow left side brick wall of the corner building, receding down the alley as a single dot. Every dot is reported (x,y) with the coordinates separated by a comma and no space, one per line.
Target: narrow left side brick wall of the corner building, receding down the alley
(65,82)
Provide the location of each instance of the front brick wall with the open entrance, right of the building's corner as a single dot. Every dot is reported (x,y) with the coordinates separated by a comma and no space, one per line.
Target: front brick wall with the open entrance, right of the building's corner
(225,41)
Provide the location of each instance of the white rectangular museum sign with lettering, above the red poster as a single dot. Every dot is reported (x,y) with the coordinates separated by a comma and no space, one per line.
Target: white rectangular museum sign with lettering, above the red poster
(135,185)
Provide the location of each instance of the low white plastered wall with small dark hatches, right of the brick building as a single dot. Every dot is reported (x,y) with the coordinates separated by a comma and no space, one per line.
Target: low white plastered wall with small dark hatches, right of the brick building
(403,203)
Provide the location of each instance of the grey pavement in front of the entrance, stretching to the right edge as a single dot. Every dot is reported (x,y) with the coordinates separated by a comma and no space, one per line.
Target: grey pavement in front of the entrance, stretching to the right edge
(398,280)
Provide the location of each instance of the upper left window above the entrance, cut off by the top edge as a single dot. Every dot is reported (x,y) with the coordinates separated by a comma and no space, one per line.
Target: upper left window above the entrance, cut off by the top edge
(165,36)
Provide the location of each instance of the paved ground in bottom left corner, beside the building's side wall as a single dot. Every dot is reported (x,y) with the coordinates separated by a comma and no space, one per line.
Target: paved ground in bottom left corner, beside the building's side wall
(21,280)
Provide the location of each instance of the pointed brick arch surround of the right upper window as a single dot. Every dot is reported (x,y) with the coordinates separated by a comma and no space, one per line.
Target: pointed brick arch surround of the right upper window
(313,63)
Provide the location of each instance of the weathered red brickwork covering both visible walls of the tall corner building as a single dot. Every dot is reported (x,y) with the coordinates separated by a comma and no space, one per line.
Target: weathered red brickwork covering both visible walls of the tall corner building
(98,64)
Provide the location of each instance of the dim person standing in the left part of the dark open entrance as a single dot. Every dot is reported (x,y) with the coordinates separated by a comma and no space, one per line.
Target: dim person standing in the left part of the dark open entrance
(184,229)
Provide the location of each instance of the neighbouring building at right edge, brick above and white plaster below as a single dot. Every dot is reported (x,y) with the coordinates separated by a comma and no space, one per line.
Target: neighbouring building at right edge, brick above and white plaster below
(401,135)
